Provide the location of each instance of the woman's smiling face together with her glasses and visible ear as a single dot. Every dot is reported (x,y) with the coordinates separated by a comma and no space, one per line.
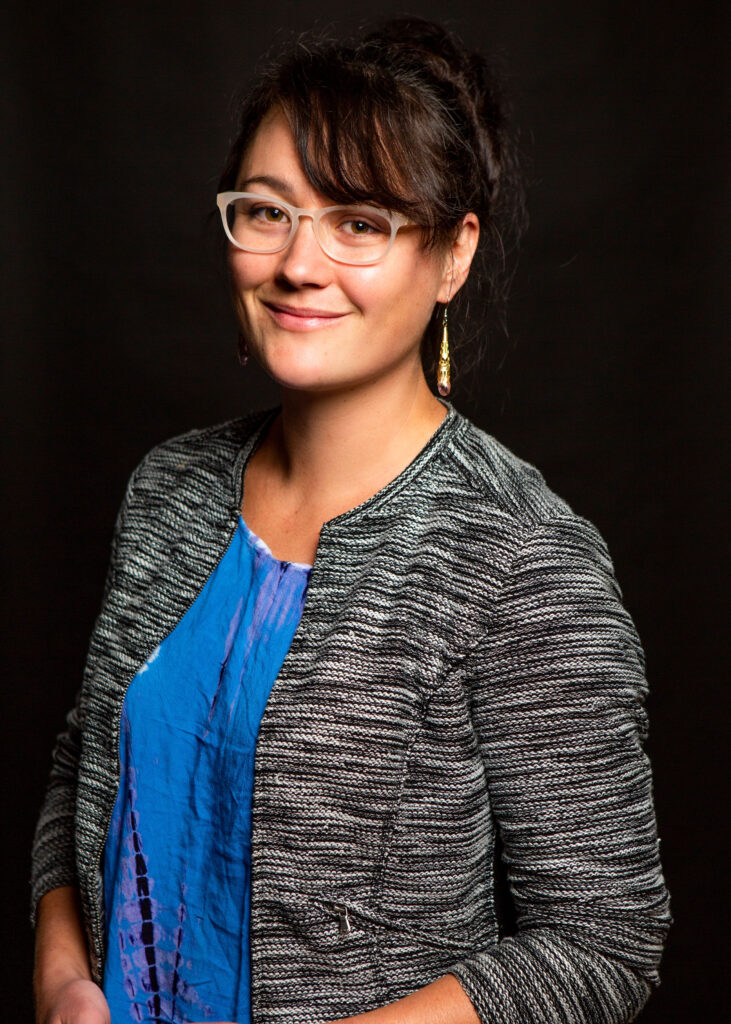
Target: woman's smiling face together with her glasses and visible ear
(361,275)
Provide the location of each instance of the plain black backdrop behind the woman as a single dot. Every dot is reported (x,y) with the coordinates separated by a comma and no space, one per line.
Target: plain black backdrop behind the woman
(119,335)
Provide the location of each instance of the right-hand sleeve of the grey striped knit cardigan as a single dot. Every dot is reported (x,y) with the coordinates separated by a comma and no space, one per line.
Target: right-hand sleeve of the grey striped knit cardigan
(557,691)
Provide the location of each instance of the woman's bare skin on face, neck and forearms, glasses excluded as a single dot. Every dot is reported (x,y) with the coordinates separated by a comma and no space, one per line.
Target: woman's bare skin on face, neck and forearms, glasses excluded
(356,410)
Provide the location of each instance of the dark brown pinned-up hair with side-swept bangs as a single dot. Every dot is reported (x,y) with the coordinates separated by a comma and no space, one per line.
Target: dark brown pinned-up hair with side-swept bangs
(405,118)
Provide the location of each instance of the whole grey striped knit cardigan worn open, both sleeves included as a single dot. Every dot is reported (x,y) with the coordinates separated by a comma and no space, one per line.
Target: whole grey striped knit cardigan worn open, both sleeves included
(464,669)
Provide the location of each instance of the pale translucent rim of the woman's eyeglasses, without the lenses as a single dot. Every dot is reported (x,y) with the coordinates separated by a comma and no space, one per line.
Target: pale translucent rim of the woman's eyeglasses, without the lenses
(395,221)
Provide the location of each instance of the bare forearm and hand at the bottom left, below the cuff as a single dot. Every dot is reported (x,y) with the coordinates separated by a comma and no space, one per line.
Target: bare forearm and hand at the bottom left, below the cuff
(64,991)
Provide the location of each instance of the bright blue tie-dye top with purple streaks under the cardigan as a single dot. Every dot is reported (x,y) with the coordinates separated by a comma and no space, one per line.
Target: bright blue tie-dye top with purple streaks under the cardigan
(178,858)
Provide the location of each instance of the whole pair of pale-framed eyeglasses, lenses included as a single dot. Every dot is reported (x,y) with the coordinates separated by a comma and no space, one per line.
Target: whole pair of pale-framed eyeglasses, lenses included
(356,235)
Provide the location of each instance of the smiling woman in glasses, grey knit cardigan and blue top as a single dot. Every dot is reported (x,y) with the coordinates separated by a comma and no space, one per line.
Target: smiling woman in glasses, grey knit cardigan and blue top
(422,645)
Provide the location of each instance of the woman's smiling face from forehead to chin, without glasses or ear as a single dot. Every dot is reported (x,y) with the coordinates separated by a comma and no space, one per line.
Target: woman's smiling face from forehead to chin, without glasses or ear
(315,324)
